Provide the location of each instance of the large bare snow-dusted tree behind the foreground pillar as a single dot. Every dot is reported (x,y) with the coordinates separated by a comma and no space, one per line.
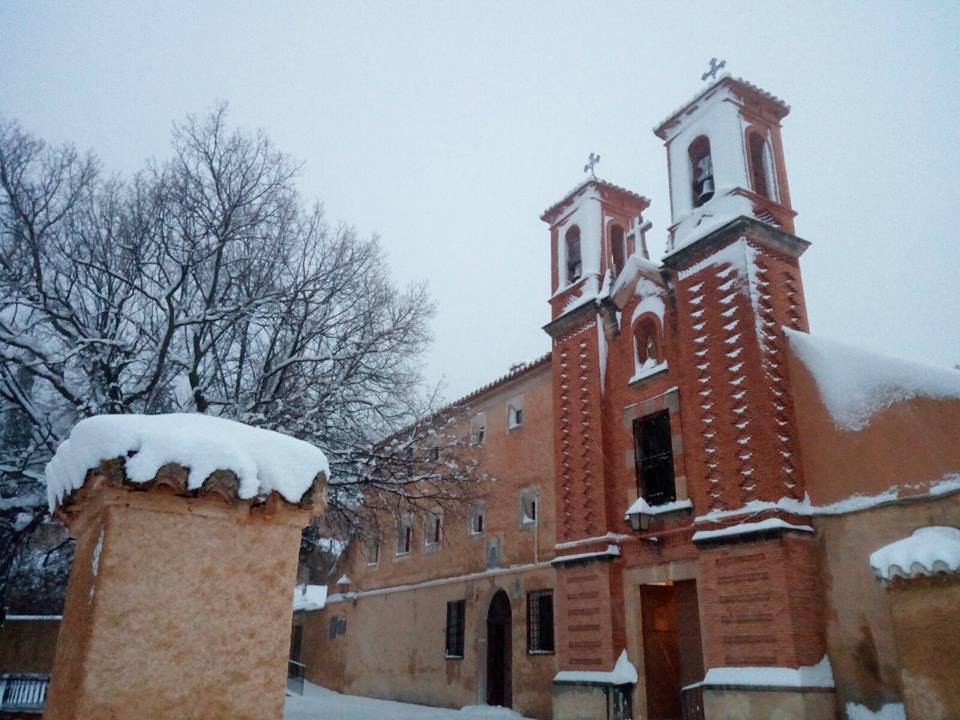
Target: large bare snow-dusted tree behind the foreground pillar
(203,284)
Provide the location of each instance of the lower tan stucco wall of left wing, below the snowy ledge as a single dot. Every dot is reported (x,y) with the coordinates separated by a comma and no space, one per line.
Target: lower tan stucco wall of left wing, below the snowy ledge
(394,645)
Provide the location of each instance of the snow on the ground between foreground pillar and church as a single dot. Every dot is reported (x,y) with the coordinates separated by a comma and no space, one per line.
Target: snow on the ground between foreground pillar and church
(318,703)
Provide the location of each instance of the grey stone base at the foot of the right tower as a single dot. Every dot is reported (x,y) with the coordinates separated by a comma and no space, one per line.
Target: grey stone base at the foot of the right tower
(762,703)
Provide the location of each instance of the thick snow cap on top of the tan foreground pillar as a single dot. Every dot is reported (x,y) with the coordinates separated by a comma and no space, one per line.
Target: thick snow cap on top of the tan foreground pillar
(263,461)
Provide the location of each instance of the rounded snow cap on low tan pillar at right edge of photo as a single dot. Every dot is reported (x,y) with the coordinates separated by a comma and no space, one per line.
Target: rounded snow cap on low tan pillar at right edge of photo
(929,551)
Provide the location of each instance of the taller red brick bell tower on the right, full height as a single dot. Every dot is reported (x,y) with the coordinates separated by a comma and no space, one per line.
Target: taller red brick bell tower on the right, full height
(733,262)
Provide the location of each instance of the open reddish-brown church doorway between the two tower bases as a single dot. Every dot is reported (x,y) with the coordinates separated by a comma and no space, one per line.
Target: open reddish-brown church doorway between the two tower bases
(672,649)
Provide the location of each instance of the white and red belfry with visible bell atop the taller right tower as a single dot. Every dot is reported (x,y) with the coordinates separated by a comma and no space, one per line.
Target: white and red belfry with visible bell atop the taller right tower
(725,158)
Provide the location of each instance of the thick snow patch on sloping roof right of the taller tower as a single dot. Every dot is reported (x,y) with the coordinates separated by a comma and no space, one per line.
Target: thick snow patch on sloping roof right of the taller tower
(854,384)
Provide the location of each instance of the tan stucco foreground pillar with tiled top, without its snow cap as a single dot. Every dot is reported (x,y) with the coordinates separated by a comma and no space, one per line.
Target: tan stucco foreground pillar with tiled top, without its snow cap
(179,601)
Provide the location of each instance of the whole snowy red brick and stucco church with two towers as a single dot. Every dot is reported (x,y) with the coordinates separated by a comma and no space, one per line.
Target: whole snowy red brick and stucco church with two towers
(698,510)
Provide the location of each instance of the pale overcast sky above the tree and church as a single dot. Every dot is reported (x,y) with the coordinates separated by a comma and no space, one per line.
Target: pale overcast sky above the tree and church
(447,128)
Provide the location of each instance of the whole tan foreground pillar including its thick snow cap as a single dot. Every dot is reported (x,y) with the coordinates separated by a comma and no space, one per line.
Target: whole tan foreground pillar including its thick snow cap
(179,601)
